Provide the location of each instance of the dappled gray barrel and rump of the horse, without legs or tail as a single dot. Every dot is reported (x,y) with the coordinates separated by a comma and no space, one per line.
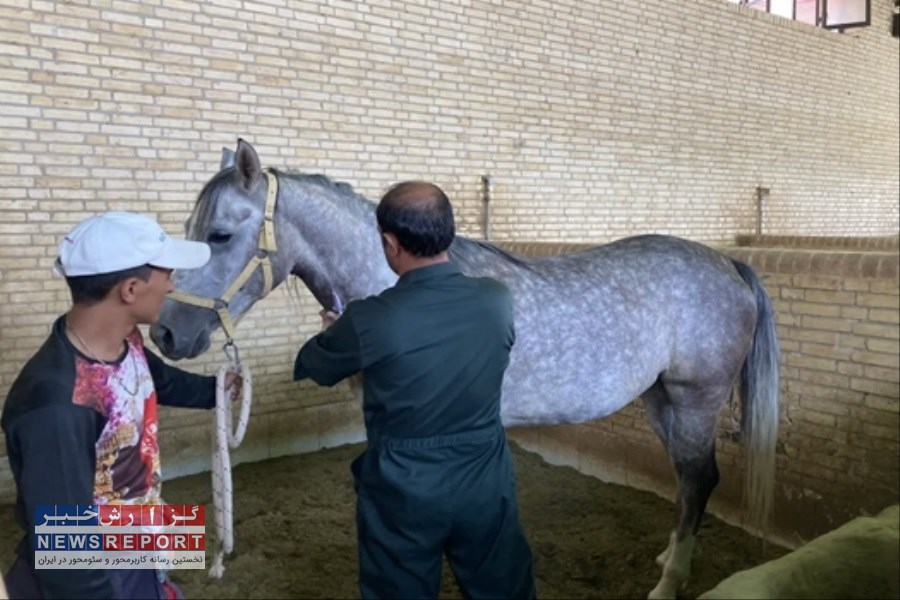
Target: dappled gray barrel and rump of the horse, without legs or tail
(596,328)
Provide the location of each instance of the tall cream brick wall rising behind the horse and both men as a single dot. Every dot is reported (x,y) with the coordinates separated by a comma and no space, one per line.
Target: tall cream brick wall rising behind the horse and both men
(596,120)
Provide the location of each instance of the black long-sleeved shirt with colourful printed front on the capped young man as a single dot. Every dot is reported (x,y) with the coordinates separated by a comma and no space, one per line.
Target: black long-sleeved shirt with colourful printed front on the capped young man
(83,432)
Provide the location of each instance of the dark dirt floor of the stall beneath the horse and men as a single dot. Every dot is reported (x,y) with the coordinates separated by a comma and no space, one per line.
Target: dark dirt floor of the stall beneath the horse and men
(295,533)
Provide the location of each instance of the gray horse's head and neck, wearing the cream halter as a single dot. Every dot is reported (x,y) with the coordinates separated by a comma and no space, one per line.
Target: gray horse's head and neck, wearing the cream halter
(262,227)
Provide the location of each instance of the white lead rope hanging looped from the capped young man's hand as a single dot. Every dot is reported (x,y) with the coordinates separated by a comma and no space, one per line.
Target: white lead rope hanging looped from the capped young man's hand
(223,440)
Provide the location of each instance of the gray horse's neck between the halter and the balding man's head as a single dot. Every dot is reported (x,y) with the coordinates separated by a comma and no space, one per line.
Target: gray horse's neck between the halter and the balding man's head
(333,240)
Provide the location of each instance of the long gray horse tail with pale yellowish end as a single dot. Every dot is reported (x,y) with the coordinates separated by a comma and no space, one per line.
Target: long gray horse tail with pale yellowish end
(759,390)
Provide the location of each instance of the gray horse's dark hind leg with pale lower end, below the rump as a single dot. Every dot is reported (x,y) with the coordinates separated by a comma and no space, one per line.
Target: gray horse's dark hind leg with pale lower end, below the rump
(688,432)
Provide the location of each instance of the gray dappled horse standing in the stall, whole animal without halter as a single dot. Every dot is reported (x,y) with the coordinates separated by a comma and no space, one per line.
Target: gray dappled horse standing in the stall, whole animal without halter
(654,316)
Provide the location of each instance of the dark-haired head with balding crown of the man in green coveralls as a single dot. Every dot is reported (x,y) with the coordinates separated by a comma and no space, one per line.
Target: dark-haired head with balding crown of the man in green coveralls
(420,215)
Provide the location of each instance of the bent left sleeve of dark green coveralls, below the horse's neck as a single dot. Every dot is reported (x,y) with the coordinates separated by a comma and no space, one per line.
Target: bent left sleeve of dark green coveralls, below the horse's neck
(331,355)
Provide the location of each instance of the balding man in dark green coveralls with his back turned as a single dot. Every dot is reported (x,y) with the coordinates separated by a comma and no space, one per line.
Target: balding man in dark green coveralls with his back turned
(437,475)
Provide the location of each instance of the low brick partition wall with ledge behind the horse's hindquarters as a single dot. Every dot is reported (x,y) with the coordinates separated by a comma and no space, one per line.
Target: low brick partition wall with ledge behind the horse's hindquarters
(839,438)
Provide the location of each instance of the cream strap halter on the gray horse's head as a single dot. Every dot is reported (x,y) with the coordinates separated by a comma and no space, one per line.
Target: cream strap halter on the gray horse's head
(266,248)
